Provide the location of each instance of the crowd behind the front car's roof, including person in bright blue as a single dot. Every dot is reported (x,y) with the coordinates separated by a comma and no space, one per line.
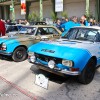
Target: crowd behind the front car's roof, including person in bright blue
(65,24)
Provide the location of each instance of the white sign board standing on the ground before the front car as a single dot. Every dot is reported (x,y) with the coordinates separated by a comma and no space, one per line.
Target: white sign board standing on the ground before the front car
(41,81)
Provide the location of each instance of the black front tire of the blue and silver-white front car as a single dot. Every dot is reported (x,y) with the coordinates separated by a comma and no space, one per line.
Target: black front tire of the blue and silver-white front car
(88,72)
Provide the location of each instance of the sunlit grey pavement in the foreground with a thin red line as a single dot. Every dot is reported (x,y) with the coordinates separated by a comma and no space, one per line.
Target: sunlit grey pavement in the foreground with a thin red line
(22,75)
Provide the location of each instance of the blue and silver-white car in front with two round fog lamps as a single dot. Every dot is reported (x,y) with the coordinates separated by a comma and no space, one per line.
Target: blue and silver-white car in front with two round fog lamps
(77,53)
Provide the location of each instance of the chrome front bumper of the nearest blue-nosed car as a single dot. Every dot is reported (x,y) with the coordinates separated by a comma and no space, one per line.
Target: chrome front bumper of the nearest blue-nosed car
(57,70)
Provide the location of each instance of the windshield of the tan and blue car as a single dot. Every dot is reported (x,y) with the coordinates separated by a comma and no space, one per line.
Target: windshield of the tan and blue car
(27,30)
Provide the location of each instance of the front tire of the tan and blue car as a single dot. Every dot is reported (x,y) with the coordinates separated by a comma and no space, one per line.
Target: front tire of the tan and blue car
(19,54)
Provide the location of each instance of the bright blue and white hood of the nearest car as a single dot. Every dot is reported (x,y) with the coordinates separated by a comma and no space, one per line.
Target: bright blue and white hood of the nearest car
(60,49)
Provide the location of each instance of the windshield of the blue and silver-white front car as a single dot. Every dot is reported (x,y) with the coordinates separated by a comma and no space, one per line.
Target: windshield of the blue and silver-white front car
(82,34)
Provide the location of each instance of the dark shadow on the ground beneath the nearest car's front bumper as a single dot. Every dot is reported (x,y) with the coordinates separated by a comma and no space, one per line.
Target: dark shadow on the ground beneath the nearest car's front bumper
(53,77)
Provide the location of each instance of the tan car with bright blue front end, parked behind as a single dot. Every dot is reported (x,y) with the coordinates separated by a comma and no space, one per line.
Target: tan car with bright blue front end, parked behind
(16,46)
